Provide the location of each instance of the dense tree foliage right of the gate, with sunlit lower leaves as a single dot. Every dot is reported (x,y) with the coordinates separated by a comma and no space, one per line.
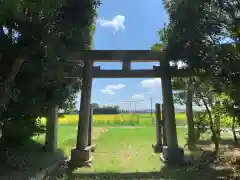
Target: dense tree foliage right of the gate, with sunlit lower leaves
(206,41)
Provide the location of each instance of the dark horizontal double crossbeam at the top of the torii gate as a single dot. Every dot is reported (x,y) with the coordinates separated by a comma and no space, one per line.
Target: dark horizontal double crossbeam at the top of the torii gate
(126,58)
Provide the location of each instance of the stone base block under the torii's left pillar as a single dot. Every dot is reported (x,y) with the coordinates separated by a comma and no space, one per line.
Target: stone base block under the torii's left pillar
(81,157)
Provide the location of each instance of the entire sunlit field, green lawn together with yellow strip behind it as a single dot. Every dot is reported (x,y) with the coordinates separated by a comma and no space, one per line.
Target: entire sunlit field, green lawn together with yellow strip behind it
(120,147)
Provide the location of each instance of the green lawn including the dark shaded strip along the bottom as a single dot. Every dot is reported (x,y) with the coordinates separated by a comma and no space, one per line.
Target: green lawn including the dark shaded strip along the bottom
(126,153)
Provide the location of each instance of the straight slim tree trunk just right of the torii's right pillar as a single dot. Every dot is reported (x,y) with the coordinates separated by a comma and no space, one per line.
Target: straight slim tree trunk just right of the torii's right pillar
(189,113)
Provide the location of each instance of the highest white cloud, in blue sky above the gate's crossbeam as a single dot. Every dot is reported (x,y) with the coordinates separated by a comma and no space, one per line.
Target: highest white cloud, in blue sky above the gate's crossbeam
(117,23)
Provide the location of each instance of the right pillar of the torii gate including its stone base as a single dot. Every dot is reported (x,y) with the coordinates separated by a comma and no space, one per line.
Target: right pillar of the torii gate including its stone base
(172,154)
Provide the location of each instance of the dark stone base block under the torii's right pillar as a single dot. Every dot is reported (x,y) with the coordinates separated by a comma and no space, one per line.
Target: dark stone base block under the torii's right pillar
(173,156)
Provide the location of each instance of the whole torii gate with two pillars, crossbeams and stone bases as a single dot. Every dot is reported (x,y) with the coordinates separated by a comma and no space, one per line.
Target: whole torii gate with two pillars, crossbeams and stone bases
(81,155)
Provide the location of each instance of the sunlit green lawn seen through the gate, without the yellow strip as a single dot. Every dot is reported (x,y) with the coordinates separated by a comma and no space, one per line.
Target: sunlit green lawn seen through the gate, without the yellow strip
(119,149)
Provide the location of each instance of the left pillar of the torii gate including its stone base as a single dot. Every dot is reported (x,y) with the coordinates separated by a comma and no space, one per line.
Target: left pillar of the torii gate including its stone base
(81,155)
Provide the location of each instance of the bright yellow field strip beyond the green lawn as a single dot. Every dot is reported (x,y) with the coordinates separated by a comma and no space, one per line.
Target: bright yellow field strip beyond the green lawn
(118,119)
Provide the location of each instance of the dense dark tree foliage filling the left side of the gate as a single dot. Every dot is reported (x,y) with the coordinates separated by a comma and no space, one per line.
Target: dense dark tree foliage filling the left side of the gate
(36,40)
